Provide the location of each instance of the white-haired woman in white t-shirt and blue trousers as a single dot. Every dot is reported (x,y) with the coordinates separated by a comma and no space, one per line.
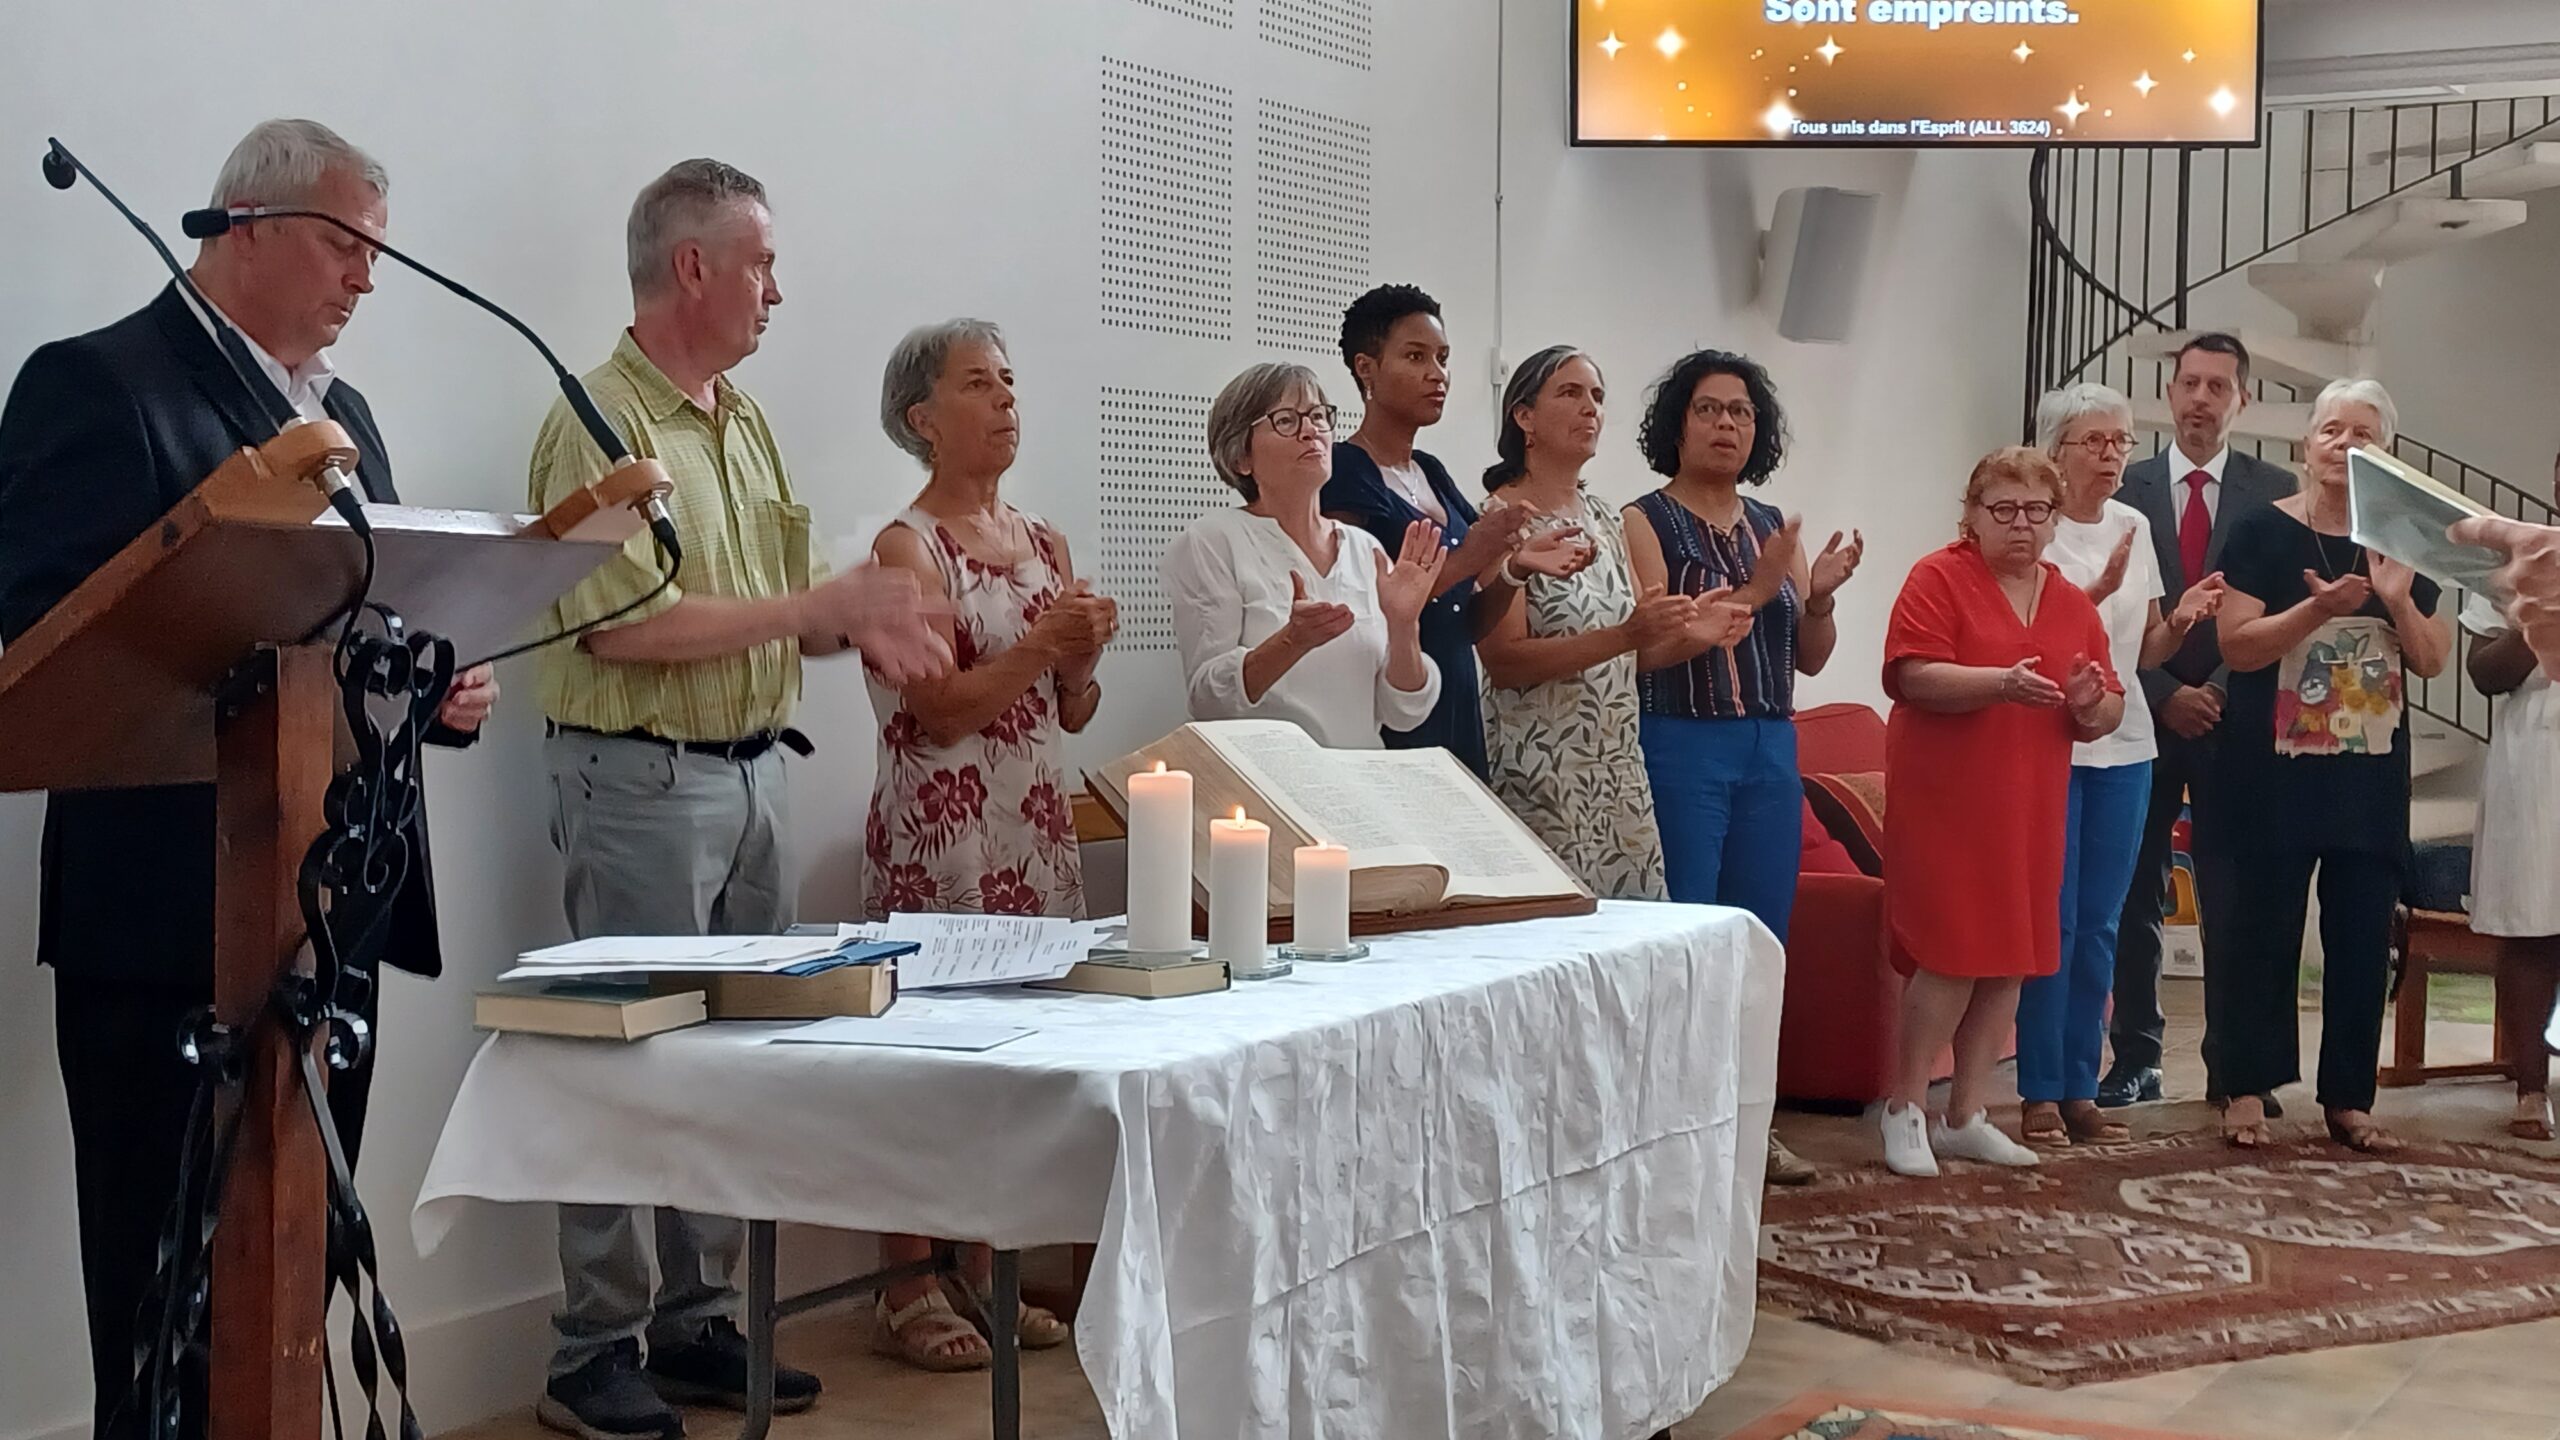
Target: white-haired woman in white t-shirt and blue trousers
(2103,547)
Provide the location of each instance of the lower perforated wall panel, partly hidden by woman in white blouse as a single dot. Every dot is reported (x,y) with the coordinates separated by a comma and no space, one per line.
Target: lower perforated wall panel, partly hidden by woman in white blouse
(1156,480)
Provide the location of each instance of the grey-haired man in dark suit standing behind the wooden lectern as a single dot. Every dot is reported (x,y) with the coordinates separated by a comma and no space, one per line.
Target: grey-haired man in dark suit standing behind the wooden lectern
(101,437)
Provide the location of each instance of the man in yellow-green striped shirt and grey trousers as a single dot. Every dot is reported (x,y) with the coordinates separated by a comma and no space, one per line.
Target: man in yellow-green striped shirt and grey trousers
(667,737)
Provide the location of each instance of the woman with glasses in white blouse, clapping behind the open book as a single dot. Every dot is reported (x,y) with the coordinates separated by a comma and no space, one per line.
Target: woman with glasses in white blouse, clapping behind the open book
(1289,616)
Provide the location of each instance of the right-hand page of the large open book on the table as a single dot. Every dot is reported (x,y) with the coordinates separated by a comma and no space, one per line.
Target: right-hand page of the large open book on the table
(1435,803)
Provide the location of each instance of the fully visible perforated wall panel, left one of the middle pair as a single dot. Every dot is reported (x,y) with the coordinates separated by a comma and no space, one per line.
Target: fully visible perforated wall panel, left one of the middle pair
(1169,204)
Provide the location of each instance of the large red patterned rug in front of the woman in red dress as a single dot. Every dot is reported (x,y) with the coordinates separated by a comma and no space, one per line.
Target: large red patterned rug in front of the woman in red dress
(2172,1254)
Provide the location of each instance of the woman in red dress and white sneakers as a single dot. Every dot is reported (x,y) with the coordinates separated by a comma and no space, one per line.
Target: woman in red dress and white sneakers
(1998,667)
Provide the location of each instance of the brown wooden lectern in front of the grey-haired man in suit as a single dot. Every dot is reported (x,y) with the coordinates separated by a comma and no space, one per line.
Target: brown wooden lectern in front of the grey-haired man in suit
(204,652)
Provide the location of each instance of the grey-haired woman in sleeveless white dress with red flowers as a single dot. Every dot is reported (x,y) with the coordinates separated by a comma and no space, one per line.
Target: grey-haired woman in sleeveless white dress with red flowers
(972,803)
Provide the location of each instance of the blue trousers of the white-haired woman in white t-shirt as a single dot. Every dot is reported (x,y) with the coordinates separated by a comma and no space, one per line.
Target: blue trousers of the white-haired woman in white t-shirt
(2062,1019)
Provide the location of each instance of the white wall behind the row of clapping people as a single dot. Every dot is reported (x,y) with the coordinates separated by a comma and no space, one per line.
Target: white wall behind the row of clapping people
(925,160)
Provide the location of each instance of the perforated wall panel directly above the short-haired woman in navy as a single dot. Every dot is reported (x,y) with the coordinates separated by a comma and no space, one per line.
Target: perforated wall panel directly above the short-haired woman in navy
(1312,224)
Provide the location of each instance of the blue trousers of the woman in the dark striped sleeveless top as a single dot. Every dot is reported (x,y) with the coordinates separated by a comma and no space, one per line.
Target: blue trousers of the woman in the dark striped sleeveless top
(1732,811)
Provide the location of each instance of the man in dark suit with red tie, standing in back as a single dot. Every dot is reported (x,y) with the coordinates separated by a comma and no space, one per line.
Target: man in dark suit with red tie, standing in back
(2193,496)
